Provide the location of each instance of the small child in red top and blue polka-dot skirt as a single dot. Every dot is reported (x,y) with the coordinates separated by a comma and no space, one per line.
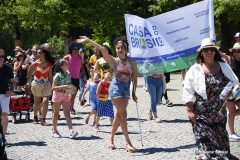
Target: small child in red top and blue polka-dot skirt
(104,107)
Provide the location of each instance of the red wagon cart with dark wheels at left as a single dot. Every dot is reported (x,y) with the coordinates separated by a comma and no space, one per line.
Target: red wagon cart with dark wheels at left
(19,105)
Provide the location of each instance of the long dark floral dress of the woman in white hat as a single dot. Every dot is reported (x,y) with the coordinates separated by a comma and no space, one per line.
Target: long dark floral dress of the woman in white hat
(210,128)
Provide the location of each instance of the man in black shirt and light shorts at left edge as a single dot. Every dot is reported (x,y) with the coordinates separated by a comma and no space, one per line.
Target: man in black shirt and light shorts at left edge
(7,84)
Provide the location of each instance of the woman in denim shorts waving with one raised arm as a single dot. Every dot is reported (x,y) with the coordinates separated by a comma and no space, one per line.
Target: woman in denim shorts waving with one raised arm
(124,71)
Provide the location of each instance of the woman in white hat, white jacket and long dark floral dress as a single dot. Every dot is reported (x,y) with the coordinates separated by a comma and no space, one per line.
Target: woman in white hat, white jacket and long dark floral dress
(203,84)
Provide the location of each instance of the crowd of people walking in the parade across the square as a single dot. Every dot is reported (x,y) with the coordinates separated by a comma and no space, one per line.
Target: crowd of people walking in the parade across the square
(108,80)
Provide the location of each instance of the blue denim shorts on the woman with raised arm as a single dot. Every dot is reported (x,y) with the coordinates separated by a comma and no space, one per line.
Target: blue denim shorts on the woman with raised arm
(119,89)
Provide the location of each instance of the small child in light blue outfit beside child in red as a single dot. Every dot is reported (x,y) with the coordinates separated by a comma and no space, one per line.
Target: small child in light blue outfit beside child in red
(92,87)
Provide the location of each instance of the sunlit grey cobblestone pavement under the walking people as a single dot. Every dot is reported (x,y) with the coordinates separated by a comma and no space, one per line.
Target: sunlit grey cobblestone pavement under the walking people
(170,140)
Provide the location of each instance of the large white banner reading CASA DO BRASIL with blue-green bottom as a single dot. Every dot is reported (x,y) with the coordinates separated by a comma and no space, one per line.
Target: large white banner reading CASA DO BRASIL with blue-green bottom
(168,41)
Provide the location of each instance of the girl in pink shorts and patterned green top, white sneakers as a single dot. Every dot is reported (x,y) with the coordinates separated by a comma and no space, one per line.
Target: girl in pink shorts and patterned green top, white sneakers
(61,97)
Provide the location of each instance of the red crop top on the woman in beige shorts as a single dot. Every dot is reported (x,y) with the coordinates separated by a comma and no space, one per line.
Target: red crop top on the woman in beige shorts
(41,72)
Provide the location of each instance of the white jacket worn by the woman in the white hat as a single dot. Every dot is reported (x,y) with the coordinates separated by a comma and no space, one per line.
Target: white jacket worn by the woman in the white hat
(195,81)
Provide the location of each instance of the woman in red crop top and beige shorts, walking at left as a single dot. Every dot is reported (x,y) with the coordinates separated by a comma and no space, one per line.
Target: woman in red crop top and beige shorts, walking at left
(41,83)
